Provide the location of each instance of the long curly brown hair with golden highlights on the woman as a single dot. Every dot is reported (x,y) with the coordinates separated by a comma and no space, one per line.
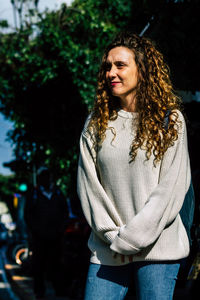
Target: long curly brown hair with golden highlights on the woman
(154,98)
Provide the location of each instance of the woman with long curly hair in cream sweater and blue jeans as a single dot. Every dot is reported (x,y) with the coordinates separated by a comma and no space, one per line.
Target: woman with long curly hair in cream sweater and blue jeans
(133,175)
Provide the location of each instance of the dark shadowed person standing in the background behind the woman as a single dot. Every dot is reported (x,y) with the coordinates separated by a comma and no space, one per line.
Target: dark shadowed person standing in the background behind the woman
(46,213)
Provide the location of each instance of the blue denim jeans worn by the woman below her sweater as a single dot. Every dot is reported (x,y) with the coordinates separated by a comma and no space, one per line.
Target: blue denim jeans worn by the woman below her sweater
(153,280)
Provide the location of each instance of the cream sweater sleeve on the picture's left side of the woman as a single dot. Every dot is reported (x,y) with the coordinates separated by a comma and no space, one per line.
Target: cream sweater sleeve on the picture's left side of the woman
(98,209)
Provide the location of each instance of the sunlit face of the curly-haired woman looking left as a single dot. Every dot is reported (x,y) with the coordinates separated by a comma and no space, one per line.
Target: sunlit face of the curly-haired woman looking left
(122,73)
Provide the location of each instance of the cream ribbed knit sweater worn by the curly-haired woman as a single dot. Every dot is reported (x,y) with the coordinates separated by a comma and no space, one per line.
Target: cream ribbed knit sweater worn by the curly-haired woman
(133,208)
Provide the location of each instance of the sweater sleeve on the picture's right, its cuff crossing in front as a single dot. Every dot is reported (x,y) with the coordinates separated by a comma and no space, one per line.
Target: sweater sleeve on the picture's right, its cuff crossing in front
(164,203)
